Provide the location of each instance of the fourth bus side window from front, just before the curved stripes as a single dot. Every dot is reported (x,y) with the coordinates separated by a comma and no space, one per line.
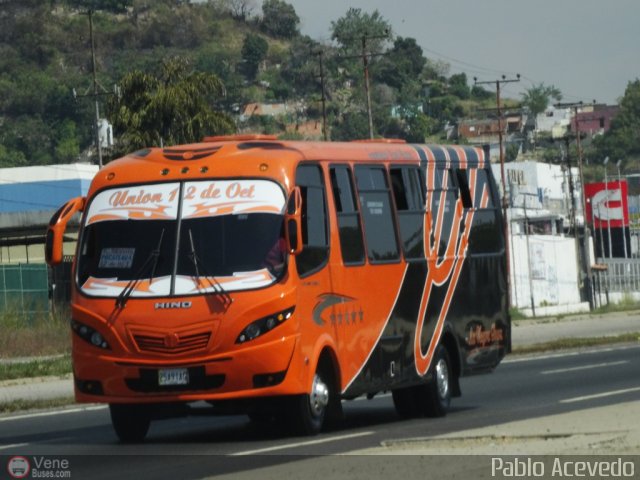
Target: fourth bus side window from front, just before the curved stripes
(410,203)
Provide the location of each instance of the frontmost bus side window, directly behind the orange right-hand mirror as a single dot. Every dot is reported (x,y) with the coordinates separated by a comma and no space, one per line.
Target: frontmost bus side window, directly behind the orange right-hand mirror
(315,244)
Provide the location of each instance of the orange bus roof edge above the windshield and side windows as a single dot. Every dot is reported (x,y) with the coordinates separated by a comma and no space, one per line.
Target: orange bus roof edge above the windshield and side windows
(262,155)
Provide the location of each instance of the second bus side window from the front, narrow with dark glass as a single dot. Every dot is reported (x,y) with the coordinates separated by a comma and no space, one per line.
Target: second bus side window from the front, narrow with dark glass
(349,224)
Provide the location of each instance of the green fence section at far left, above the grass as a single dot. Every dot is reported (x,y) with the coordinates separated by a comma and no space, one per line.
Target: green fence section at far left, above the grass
(24,288)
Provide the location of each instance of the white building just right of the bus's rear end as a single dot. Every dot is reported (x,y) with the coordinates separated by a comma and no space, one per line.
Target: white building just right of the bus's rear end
(545,268)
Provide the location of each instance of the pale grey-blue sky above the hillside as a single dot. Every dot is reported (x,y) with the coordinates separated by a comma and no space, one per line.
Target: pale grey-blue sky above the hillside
(589,49)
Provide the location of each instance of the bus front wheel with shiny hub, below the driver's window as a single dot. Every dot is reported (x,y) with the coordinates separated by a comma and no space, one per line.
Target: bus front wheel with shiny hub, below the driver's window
(308,411)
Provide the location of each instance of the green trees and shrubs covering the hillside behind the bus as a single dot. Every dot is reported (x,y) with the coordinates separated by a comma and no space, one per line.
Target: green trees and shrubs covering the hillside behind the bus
(202,64)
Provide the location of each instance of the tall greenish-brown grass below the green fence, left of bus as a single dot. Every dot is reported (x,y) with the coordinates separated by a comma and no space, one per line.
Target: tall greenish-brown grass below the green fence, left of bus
(39,334)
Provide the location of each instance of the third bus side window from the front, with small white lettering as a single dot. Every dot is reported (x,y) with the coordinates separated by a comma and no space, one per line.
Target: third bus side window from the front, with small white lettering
(377,217)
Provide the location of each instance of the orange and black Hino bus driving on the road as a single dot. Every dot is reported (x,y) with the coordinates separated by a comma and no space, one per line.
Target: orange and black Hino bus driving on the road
(278,278)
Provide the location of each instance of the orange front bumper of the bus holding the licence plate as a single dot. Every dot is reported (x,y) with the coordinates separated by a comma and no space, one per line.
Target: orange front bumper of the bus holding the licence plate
(267,369)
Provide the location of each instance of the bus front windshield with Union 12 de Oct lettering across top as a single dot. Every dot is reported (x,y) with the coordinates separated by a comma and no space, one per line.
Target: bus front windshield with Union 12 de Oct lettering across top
(183,239)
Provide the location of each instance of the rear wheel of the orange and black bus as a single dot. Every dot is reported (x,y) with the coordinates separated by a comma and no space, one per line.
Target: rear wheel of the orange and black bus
(436,395)
